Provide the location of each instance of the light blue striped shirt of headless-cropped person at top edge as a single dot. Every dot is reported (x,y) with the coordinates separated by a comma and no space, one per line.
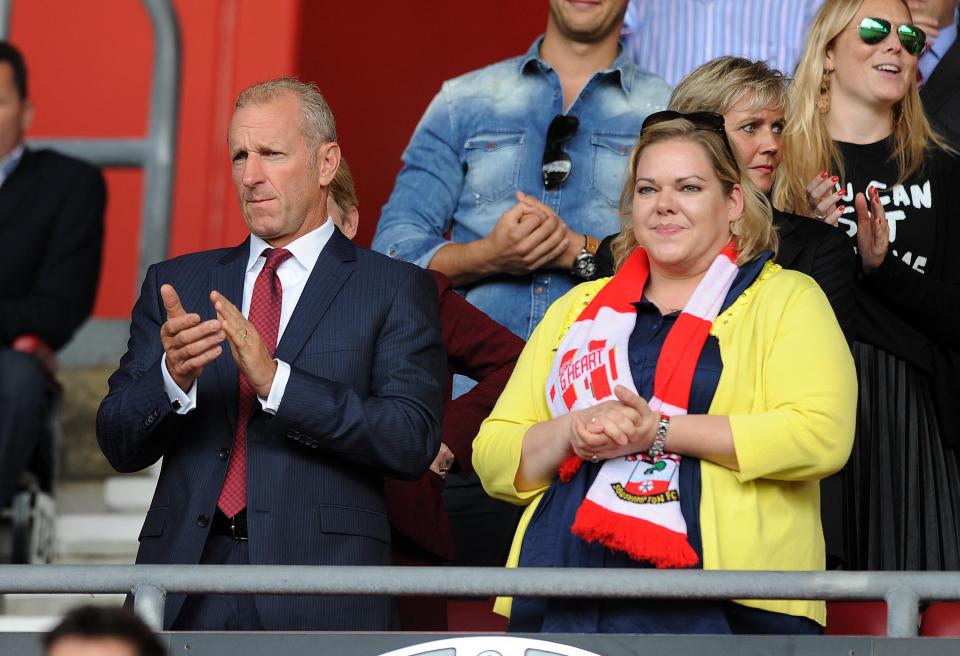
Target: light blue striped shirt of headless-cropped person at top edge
(673,37)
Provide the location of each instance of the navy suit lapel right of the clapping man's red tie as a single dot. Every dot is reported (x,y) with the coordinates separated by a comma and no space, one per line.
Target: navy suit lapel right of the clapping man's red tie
(331,271)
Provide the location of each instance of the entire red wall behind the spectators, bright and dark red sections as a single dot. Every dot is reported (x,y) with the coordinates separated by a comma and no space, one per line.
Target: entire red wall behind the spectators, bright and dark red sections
(378,63)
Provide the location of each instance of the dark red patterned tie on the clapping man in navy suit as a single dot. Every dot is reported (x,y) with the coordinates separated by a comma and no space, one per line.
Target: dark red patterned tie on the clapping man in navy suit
(265,316)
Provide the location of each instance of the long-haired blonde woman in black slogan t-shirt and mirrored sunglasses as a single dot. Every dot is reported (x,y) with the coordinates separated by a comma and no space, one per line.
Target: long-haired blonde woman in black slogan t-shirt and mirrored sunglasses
(860,154)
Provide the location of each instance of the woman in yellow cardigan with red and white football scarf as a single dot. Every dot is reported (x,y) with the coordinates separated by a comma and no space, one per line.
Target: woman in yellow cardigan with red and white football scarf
(680,413)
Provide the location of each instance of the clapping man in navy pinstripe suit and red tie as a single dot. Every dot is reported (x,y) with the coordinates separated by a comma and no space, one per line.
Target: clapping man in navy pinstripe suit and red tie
(352,393)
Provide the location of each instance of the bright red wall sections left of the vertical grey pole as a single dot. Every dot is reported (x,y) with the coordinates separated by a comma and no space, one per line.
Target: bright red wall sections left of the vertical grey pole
(89,77)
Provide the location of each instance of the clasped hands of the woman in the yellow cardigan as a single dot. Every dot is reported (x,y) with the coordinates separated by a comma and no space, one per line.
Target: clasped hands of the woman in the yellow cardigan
(613,428)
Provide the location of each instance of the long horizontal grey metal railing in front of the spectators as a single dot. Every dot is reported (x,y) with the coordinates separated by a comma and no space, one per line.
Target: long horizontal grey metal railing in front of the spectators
(149,584)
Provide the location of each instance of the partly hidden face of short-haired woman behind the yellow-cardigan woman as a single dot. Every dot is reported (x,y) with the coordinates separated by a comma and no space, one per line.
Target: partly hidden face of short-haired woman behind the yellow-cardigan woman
(756,136)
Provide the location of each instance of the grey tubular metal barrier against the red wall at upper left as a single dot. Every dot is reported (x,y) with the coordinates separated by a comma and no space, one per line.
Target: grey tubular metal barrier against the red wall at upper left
(102,341)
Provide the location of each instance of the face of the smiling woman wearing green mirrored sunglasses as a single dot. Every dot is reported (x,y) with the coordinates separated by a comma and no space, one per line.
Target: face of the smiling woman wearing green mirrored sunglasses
(876,75)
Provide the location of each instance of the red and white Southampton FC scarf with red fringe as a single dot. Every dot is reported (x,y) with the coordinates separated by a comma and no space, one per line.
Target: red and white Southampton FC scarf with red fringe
(633,506)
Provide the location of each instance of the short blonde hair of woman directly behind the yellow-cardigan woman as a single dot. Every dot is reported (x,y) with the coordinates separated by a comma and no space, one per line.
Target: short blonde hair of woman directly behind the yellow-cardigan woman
(722,83)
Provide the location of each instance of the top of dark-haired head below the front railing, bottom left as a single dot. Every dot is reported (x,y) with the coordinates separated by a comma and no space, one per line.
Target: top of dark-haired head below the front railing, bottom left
(94,622)
